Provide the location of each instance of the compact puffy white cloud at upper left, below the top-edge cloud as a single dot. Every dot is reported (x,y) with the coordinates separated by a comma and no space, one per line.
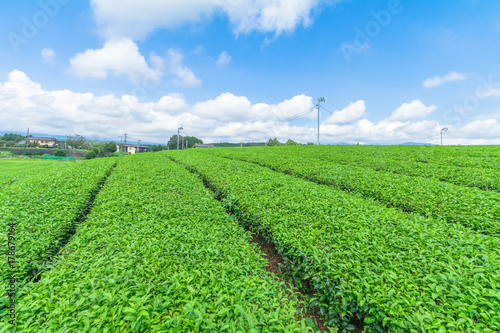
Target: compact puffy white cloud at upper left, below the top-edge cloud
(118,57)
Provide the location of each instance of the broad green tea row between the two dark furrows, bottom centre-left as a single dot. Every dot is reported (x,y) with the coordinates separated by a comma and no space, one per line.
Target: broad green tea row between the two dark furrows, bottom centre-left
(157,254)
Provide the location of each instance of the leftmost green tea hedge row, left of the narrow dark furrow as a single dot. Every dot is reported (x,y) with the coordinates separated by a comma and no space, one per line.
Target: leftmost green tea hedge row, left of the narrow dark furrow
(44,205)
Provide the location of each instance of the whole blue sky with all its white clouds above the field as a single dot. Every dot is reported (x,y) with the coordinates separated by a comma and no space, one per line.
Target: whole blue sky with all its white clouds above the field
(231,70)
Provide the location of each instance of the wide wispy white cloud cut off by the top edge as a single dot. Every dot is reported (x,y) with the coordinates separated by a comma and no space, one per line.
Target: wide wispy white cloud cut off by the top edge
(137,18)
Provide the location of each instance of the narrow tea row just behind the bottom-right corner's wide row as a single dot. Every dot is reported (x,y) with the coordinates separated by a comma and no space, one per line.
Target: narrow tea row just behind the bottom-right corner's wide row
(476,209)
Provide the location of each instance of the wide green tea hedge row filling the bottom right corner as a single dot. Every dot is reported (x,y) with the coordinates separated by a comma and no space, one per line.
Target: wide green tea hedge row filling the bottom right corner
(395,271)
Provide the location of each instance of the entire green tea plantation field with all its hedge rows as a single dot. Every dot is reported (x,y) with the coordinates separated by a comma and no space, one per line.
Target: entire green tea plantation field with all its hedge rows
(369,239)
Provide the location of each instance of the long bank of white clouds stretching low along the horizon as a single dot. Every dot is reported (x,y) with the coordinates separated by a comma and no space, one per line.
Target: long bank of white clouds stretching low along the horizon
(225,118)
